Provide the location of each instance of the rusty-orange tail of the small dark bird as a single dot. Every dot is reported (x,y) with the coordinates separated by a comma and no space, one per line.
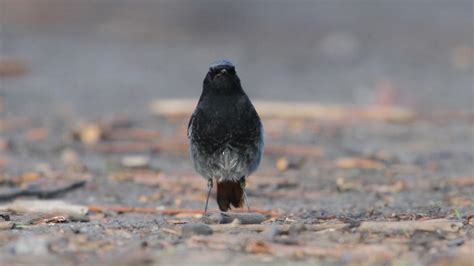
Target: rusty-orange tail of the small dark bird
(229,192)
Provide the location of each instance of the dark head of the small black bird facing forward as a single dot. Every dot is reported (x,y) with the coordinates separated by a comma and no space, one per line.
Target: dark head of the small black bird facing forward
(222,78)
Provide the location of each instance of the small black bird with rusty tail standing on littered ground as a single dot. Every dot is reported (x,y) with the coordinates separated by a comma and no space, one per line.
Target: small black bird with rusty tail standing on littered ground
(225,135)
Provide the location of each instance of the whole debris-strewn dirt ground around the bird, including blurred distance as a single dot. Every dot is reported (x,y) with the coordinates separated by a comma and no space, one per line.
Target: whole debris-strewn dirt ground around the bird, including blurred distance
(363,184)
